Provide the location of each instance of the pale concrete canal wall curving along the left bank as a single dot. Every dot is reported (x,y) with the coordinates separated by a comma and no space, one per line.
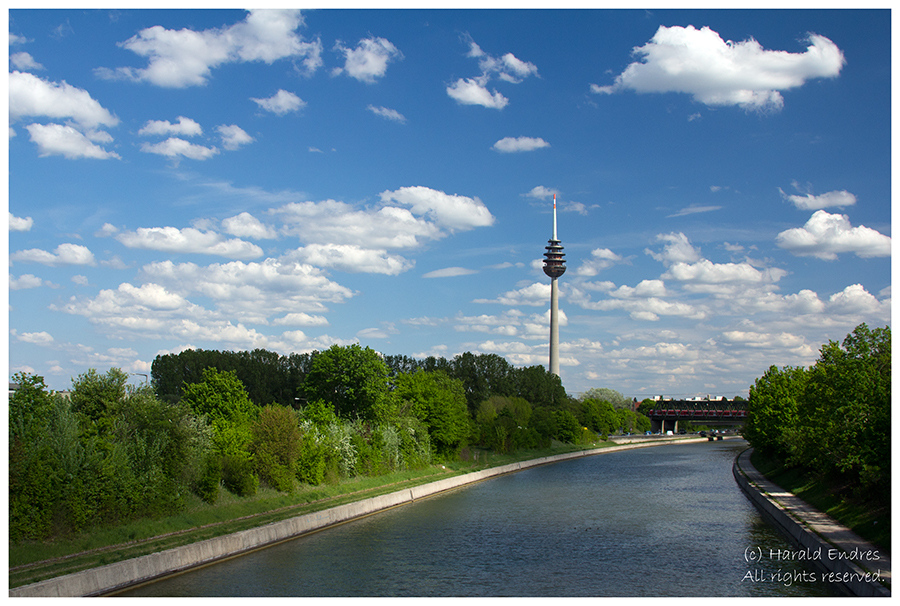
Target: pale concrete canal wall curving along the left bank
(119,575)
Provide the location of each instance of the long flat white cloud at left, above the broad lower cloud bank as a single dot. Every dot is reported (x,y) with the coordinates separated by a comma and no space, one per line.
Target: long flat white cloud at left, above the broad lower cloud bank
(188,240)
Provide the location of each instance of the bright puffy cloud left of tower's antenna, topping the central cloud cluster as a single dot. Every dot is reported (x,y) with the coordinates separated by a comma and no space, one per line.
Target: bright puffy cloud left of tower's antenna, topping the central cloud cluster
(448,210)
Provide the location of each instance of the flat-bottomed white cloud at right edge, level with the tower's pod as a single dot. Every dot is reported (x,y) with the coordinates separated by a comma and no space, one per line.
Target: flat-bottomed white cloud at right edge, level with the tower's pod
(825,235)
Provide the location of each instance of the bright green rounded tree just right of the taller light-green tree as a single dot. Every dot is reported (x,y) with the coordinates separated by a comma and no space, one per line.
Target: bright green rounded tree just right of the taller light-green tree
(439,401)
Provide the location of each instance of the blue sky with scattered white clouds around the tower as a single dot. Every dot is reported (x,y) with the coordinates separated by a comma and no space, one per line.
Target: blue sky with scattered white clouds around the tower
(290,180)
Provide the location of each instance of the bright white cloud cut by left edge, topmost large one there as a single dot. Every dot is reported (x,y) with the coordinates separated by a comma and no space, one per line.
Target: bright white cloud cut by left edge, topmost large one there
(30,96)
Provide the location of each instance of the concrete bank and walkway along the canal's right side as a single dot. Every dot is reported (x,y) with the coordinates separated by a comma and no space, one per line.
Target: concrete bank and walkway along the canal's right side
(842,557)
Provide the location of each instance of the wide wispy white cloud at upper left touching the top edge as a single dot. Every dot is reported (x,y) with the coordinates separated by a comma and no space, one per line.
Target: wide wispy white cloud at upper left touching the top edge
(181,58)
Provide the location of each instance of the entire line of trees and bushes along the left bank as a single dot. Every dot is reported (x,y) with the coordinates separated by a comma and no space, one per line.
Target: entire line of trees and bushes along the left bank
(211,421)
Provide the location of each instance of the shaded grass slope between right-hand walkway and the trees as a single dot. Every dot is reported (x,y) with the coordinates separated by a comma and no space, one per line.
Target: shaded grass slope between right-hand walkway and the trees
(871,521)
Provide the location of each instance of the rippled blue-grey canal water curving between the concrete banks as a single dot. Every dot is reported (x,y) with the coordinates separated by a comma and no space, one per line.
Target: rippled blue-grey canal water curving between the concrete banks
(660,521)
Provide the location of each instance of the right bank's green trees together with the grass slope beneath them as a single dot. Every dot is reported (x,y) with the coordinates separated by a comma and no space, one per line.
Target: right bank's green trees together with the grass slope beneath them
(824,432)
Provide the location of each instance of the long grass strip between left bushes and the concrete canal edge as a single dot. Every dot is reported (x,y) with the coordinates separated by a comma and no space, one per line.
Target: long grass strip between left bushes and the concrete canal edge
(33,561)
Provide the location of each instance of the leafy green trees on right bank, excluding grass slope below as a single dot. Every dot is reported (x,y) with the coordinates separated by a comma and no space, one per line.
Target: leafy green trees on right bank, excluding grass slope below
(833,418)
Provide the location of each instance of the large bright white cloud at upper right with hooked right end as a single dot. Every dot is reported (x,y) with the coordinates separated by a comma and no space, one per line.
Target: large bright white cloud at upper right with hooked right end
(715,72)
